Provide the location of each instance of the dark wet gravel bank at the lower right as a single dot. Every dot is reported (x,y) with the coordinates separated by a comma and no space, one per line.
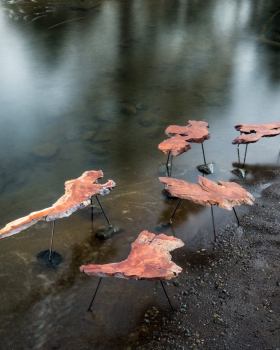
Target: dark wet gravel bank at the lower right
(227,298)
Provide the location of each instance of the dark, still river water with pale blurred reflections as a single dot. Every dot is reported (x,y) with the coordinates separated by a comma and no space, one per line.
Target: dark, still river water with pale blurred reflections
(85,87)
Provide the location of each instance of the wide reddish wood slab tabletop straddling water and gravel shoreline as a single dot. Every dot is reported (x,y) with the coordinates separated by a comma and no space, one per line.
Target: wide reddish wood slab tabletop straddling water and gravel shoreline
(206,192)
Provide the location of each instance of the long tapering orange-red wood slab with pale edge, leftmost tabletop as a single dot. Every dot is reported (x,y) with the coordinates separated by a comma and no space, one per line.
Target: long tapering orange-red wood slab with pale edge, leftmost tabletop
(78,193)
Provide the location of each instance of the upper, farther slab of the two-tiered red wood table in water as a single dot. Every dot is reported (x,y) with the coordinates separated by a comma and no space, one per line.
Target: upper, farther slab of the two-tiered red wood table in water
(195,131)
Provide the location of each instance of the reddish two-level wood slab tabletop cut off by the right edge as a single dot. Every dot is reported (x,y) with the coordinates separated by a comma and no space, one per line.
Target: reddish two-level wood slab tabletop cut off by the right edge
(251,133)
